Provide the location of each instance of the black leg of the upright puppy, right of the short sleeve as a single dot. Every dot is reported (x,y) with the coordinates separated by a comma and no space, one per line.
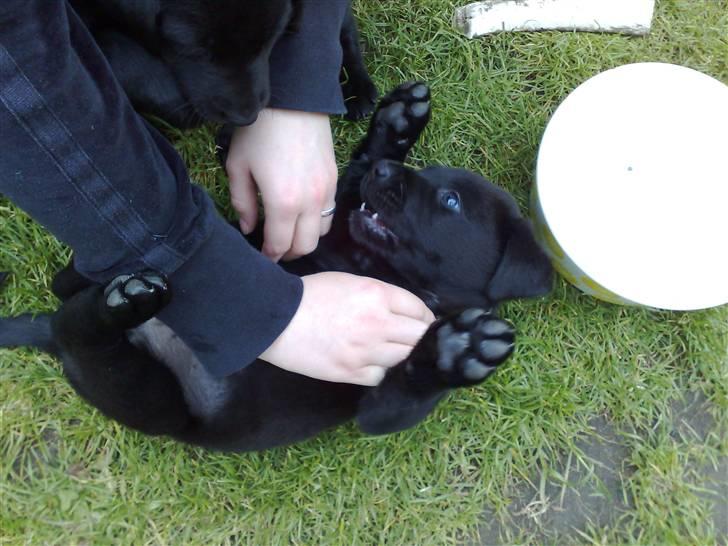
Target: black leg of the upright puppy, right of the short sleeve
(359,90)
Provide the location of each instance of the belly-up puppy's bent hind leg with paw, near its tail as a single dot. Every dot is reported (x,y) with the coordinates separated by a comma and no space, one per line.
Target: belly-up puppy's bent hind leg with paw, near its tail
(123,382)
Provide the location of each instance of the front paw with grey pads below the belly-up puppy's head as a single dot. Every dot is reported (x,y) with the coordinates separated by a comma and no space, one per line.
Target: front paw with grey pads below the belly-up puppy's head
(471,345)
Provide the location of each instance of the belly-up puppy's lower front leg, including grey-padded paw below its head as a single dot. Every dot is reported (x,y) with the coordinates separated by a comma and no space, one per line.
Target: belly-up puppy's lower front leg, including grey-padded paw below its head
(461,350)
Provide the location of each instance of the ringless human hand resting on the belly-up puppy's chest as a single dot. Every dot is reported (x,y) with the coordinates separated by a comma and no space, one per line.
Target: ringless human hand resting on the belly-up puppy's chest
(349,329)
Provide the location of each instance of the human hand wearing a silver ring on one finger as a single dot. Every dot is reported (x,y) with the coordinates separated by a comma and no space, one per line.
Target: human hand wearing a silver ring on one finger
(288,156)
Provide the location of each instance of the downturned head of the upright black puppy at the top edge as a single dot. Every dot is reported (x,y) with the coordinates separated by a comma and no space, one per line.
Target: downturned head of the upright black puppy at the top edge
(219,52)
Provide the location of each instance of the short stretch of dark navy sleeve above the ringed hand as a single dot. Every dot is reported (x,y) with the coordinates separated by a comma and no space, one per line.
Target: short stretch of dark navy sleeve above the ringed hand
(306,64)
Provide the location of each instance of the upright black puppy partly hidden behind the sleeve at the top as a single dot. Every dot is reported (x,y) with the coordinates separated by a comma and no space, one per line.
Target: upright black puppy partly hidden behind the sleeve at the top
(194,61)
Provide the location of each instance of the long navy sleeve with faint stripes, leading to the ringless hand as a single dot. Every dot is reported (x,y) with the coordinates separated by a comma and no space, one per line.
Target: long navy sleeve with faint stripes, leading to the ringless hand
(79,160)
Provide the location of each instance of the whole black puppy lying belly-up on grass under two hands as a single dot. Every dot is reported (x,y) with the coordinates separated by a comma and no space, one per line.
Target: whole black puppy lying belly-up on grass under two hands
(445,234)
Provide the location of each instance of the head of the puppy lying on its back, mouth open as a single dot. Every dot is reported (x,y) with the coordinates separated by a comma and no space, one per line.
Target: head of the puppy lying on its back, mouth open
(457,239)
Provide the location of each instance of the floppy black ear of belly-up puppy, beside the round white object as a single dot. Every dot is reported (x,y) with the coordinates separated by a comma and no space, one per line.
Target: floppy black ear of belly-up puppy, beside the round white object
(524,270)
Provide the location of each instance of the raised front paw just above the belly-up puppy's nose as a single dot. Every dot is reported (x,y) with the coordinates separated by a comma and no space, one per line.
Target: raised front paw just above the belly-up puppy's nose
(401,116)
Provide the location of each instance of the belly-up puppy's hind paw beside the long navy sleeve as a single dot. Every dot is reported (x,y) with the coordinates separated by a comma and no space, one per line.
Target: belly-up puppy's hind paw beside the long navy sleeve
(130,300)
